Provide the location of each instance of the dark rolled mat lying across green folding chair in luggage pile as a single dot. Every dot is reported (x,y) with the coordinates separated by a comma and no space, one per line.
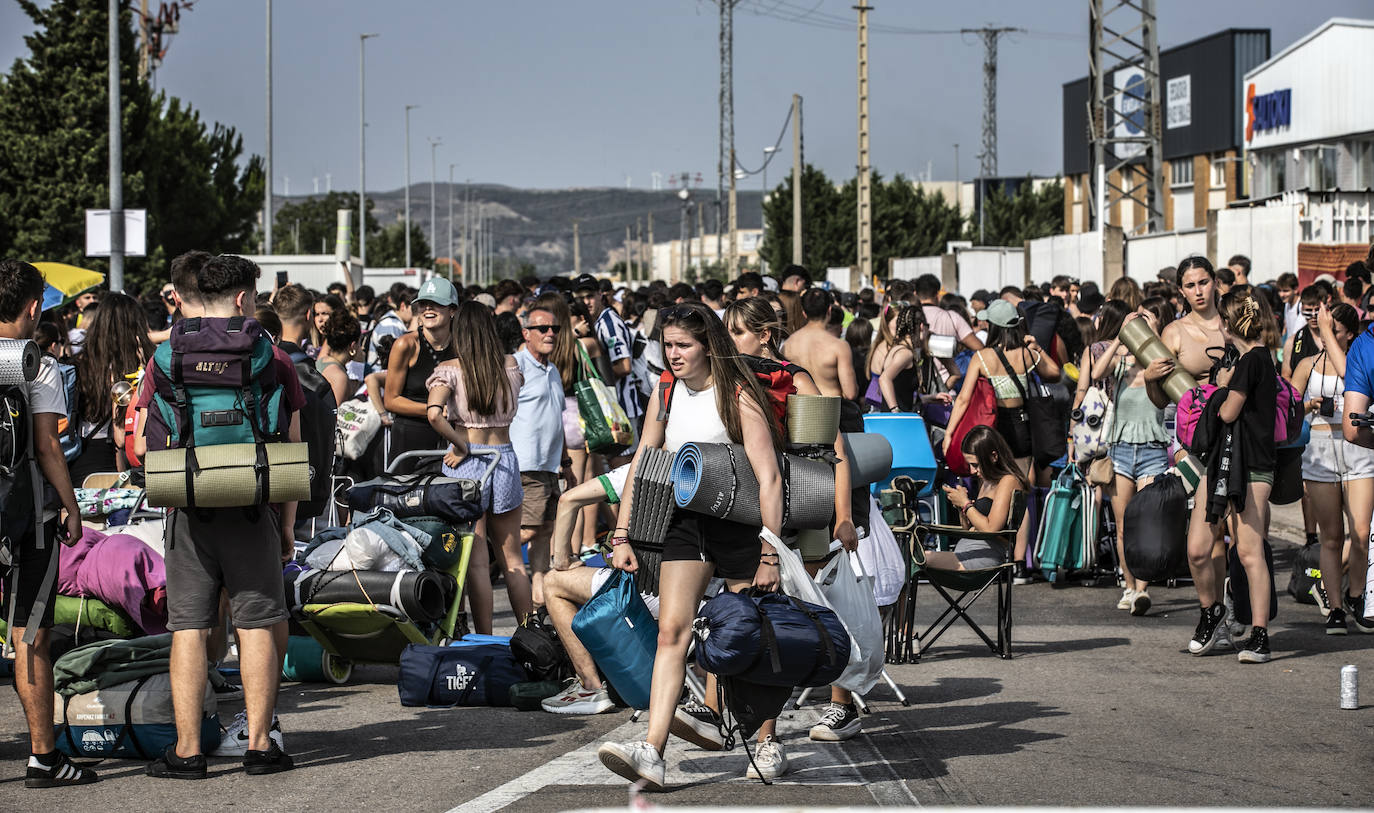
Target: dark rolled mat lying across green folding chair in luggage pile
(421,595)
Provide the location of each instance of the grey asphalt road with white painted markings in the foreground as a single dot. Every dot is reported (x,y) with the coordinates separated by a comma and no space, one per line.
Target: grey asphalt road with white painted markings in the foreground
(1096,708)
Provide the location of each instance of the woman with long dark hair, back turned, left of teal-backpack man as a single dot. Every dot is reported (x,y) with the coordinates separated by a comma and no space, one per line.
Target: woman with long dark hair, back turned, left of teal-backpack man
(117,345)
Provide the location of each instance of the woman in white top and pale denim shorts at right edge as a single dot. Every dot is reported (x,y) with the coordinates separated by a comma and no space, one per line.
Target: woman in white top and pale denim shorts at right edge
(1338,473)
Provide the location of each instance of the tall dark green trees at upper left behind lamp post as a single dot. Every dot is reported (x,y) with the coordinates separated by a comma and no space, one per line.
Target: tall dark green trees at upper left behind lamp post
(54,152)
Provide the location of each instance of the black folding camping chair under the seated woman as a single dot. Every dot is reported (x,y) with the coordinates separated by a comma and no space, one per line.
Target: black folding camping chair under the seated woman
(960,588)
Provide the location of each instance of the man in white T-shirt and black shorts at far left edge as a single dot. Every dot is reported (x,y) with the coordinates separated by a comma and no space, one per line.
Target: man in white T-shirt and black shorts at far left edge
(31,542)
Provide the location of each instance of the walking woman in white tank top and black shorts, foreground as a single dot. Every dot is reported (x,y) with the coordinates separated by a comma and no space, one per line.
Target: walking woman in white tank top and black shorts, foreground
(717,399)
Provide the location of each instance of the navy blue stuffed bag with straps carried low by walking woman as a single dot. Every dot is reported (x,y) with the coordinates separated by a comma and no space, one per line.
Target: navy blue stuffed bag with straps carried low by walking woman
(772,639)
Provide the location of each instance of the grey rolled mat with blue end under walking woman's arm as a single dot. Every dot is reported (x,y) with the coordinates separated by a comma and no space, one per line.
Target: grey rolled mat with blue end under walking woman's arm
(718,481)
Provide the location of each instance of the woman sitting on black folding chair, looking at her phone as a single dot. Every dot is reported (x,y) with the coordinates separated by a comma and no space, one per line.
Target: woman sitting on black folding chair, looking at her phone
(1000,479)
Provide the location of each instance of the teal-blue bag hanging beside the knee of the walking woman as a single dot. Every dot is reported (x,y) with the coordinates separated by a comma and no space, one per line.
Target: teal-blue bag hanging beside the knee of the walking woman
(622,635)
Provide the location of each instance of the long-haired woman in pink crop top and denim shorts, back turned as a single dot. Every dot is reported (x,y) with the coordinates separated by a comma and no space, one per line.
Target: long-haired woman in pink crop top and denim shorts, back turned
(472,402)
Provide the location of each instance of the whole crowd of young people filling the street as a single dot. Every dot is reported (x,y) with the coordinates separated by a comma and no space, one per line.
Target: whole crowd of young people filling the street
(482,374)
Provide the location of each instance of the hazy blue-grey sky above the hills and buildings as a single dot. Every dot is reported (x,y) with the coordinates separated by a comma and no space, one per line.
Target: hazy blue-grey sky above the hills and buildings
(556,94)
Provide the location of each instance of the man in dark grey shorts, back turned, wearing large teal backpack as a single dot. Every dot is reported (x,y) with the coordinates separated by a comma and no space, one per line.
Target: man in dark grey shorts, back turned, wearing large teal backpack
(240,550)
